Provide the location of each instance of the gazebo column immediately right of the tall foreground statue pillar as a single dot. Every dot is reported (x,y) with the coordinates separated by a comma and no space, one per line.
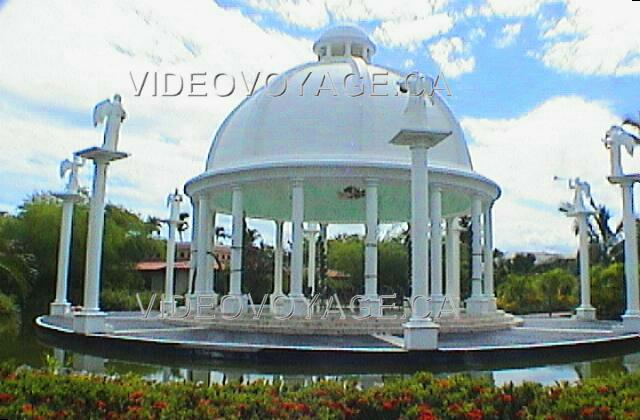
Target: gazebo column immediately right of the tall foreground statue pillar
(437,297)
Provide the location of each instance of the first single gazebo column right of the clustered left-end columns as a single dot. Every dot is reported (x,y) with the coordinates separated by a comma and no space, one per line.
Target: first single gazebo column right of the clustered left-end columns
(235,282)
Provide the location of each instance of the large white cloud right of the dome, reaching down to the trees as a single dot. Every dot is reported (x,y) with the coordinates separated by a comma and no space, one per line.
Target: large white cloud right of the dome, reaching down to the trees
(559,137)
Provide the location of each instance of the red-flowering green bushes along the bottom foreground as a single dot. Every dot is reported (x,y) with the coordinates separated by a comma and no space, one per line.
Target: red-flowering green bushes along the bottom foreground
(42,395)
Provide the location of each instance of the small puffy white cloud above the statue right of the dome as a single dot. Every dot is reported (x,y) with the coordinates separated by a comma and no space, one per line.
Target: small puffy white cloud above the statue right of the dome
(453,56)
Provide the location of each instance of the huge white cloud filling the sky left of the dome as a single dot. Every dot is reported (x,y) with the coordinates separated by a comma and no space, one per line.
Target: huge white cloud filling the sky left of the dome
(82,52)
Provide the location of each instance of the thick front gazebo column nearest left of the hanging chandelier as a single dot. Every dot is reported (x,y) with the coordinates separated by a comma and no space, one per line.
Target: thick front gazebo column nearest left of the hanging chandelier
(296,296)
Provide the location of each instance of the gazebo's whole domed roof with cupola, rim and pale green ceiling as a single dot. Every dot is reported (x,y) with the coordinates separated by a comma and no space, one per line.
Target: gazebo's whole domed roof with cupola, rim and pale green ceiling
(330,123)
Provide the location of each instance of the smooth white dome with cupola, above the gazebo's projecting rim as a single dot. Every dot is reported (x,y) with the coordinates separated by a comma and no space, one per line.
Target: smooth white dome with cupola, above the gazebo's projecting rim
(338,109)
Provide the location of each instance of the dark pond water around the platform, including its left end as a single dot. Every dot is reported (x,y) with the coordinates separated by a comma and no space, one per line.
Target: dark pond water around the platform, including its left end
(22,346)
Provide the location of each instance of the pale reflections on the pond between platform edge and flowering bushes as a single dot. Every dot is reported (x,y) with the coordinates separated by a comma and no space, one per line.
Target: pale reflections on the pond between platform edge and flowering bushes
(545,375)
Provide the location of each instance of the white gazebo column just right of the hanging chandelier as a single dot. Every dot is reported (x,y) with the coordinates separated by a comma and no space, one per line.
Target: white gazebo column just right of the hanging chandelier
(371,305)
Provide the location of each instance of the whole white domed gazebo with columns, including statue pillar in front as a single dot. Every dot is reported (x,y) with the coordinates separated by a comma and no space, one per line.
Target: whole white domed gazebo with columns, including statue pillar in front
(343,140)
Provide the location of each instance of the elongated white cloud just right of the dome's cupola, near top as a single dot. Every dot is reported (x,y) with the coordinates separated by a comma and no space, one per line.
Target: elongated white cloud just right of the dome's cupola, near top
(409,34)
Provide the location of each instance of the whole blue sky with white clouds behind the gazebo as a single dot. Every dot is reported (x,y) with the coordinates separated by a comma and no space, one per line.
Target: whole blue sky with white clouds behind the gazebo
(535,83)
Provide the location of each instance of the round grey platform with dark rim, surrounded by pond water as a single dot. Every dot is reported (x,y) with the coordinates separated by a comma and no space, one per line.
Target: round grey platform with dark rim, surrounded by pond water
(538,339)
